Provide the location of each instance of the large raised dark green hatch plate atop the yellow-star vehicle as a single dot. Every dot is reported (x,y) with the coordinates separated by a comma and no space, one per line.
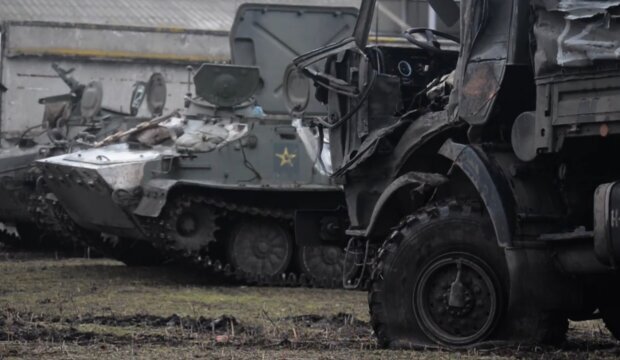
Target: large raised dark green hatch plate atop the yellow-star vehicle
(271,36)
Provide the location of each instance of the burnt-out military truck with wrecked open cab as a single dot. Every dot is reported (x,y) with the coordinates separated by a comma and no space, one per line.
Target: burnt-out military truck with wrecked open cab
(487,185)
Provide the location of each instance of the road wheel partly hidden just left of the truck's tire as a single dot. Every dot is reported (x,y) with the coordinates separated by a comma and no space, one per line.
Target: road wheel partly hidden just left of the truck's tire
(323,264)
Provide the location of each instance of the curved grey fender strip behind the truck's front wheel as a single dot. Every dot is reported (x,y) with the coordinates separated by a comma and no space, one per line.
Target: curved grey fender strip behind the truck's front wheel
(490,186)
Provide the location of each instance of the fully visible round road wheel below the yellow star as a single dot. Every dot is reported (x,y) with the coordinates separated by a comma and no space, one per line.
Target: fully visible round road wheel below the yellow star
(260,248)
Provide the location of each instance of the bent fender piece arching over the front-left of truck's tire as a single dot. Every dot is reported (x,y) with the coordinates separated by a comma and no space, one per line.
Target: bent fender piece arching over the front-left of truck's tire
(413,185)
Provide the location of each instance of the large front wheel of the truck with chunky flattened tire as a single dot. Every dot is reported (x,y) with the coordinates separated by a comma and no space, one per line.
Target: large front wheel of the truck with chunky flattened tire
(440,279)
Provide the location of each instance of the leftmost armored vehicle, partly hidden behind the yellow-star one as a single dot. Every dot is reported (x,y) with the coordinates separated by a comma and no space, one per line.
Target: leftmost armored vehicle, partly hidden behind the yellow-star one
(70,121)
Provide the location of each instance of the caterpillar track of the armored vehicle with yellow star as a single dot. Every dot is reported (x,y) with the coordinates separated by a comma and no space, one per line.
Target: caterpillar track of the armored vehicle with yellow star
(208,258)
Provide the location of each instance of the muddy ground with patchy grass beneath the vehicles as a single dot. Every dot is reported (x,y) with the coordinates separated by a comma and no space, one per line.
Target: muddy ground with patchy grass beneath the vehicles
(59,308)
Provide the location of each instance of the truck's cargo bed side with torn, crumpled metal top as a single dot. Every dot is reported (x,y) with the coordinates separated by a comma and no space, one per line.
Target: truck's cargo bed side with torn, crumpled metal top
(577,78)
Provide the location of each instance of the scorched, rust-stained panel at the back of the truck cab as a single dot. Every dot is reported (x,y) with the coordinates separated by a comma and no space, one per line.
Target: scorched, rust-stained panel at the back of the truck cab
(492,39)
